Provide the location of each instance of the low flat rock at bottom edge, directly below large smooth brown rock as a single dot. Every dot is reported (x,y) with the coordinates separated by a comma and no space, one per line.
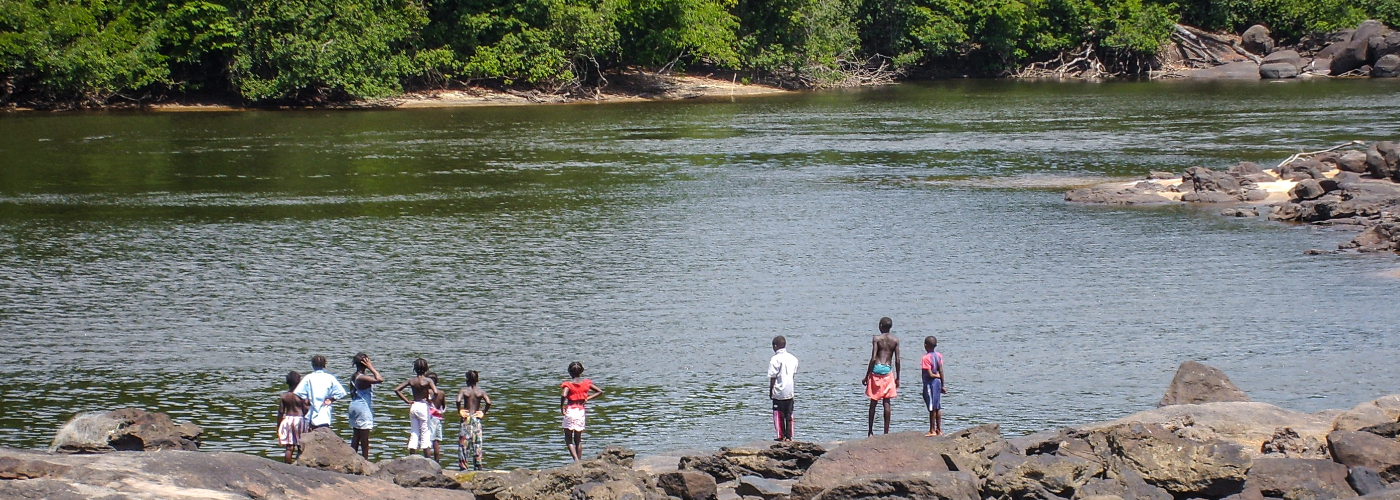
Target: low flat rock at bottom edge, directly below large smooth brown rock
(913,485)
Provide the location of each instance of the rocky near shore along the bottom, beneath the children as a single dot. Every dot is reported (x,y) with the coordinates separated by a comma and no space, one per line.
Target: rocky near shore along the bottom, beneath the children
(1206,440)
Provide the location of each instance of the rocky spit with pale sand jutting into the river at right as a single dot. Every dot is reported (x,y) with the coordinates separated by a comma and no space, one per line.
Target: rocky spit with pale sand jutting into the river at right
(1353,187)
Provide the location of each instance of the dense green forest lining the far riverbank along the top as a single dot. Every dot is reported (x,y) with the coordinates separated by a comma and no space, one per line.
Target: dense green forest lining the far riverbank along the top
(94,53)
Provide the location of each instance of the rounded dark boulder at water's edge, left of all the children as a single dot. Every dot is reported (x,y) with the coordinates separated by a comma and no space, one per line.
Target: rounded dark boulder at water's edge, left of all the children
(128,429)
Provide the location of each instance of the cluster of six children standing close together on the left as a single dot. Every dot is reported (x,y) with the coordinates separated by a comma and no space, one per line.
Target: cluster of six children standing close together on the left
(307,405)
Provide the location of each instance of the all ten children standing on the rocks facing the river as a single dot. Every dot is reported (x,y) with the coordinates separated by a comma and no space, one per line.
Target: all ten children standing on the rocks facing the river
(307,403)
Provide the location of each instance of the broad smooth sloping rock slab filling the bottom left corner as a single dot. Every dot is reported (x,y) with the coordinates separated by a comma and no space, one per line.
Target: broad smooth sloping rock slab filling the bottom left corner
(174,474)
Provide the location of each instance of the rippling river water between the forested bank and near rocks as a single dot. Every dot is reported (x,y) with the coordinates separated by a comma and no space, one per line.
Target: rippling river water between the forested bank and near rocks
(184,263)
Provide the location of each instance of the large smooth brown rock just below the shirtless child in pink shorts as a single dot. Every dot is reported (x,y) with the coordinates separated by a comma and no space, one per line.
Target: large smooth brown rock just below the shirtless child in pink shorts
(968,450)
